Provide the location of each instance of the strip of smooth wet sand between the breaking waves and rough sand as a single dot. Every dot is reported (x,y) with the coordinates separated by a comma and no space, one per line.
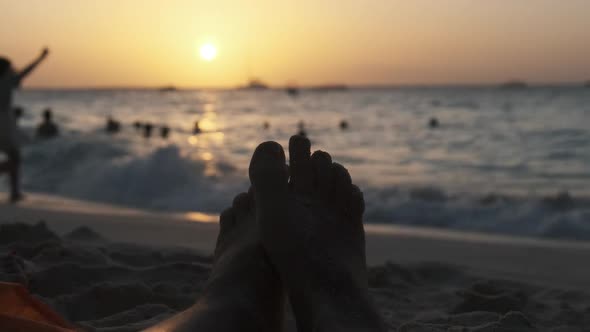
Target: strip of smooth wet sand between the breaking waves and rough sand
(540,261)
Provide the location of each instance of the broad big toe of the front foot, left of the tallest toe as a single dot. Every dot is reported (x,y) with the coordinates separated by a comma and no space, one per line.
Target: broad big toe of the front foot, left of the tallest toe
(268,170)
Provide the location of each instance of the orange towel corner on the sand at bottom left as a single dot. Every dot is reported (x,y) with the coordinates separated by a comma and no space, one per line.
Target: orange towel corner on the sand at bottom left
(21,312)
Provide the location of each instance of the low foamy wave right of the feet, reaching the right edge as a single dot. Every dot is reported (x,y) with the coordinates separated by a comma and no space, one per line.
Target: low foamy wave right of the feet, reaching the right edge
(557,216)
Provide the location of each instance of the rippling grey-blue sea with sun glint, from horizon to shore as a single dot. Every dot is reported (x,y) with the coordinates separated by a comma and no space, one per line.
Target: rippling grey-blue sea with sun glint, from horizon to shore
(504,161)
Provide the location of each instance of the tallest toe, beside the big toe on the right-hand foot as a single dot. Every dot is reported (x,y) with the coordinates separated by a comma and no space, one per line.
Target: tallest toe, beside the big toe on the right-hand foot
(300,164)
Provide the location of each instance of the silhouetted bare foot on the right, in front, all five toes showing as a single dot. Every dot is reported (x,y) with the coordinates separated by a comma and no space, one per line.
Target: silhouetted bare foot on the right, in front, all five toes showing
(313,232)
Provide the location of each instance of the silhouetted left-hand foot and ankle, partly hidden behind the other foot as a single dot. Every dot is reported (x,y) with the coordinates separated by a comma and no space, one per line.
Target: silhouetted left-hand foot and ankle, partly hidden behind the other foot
(243,292)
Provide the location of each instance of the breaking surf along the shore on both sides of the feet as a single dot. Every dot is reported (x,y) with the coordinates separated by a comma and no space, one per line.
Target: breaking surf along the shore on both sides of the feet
(96,167)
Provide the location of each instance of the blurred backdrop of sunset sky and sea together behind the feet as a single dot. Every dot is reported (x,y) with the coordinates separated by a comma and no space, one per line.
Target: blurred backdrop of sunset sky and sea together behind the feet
(458,114)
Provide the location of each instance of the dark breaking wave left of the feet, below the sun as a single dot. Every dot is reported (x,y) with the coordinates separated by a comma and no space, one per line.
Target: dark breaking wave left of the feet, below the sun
(106,170)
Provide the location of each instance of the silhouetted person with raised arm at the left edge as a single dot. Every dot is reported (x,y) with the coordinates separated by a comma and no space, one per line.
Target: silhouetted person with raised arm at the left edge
(11,79)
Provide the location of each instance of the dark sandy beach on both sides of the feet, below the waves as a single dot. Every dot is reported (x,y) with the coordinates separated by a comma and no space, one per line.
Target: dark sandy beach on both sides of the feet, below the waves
(113,269)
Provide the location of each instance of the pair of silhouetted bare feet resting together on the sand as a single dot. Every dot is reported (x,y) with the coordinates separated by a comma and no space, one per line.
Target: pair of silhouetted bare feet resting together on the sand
(297,233)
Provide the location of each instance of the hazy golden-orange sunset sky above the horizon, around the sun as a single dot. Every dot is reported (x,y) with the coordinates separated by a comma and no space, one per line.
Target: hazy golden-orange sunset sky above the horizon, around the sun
(153,43)
